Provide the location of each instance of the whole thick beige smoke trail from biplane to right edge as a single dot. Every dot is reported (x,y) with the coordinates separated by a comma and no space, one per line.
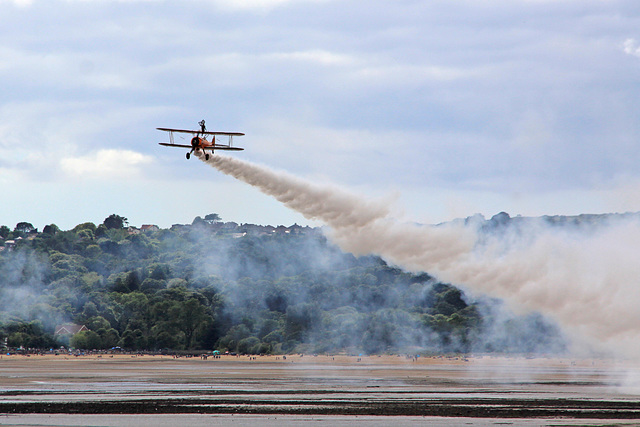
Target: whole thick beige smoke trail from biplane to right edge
(588,283)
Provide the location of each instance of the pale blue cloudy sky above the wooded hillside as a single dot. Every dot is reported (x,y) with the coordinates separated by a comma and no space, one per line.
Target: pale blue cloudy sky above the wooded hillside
(447,108)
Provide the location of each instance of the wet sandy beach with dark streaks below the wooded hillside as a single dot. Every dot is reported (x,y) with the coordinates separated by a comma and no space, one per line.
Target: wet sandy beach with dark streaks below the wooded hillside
(329,390)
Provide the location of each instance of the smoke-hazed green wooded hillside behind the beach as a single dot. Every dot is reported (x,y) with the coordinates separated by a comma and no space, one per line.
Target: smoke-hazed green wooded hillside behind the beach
(239,288)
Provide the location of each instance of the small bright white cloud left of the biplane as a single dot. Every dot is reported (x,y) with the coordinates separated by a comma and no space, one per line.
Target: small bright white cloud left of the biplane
(106,163)
